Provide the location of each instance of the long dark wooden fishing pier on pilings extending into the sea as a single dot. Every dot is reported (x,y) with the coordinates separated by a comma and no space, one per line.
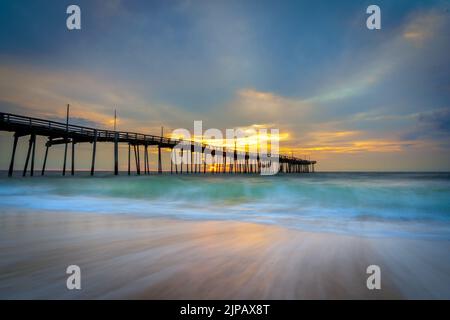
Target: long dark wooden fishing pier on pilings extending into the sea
(57,133)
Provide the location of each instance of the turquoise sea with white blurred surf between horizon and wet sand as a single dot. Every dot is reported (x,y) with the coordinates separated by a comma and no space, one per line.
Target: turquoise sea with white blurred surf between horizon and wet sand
(413,205)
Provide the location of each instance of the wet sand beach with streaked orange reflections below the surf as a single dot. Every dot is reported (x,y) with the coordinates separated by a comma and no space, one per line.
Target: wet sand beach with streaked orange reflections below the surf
(147,258)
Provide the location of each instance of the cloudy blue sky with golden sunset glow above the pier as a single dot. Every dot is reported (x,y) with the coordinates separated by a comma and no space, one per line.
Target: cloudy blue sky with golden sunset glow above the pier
(349,97)
